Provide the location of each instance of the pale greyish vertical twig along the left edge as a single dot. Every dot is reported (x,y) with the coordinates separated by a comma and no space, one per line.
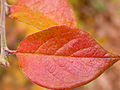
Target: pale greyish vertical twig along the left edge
(3,59)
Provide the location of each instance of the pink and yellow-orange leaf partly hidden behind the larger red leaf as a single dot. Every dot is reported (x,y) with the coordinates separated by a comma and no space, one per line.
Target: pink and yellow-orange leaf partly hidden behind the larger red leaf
(43,13)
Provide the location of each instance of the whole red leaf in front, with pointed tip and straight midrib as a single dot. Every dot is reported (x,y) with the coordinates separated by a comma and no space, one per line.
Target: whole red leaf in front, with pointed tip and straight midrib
(63,57)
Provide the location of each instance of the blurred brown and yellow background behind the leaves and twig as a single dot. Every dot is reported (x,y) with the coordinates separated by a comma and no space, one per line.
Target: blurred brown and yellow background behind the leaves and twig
(100,18)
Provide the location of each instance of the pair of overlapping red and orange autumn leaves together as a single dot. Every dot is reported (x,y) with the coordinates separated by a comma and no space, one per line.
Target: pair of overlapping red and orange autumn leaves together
(61,56)
